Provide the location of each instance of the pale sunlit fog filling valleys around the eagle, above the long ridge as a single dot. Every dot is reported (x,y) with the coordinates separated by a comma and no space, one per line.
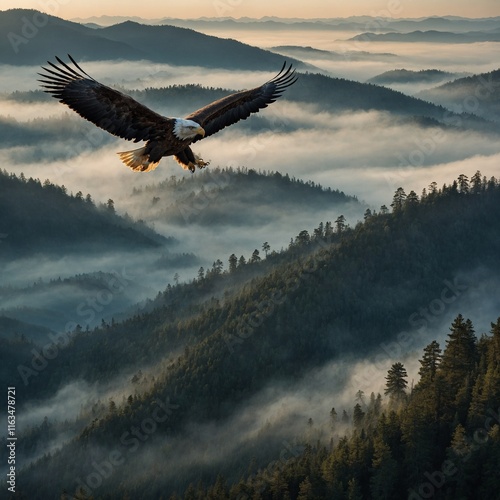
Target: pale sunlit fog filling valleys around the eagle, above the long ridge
(368,154)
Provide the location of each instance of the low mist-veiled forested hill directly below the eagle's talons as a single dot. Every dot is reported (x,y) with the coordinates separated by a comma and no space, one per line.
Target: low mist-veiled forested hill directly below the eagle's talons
(237,197)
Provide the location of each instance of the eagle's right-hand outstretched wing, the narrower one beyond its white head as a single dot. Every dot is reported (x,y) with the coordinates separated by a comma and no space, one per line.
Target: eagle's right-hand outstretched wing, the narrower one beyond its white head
(241,105)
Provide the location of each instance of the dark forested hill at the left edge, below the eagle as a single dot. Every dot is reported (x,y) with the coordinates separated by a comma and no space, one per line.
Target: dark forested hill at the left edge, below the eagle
(44,218)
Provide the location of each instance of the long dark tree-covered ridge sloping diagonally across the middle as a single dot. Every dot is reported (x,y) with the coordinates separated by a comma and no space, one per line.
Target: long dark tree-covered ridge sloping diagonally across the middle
(331,294)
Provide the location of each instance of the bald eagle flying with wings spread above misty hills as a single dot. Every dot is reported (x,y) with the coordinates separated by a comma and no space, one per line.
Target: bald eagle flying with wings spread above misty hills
(124,117)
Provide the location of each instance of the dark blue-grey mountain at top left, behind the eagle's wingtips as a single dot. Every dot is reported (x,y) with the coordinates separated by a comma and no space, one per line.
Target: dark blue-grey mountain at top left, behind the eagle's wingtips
(31,37)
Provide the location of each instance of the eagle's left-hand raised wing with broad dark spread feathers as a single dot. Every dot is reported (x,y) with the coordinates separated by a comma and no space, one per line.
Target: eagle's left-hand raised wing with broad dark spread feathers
(107,108)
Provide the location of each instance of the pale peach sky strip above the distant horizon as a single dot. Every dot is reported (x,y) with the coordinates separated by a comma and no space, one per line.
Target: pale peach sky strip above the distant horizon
(69,9)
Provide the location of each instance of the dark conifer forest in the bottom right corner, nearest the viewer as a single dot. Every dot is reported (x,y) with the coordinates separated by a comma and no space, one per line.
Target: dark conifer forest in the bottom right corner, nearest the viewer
(439,439)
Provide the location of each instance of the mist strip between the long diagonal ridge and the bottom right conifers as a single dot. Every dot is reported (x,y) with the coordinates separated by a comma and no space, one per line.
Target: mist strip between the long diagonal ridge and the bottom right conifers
(282,417)
